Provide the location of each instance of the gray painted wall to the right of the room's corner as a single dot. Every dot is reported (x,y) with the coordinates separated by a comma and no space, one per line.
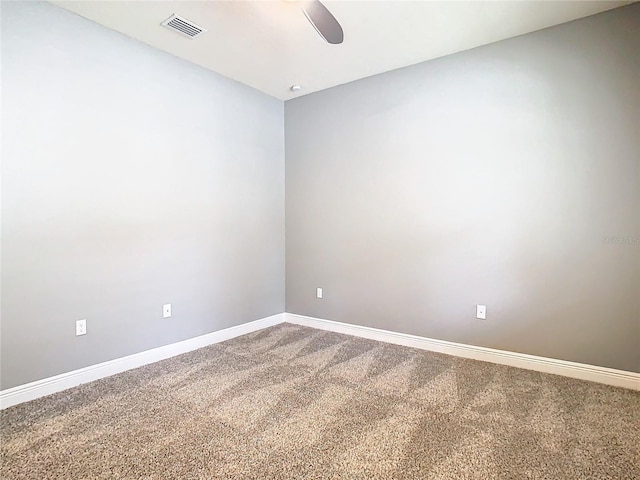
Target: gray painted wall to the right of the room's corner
(490,176)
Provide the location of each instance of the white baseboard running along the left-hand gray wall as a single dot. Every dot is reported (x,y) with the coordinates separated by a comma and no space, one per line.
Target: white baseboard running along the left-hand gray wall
(47,386)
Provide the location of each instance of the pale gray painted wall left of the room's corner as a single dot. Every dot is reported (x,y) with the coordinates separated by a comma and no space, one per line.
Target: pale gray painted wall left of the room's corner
(130,179)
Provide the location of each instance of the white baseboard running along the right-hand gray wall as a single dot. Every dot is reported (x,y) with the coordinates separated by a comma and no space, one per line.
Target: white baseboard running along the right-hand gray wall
(608,376)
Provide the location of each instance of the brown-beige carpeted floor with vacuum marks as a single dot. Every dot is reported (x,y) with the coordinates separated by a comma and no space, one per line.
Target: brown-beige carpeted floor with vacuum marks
(291,402)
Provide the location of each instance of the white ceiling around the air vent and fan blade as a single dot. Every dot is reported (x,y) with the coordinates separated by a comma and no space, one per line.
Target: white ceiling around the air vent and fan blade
(270,45)
